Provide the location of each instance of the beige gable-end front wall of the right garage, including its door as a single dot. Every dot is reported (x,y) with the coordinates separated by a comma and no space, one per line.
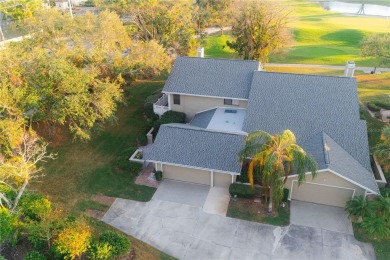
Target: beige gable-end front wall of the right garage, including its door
(324,194)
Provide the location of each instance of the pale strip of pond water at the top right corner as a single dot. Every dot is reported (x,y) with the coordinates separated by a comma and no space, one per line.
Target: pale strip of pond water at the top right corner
(356,8)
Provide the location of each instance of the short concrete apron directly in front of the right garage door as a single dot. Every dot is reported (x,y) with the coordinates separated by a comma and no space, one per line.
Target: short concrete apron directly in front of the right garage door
(320,216)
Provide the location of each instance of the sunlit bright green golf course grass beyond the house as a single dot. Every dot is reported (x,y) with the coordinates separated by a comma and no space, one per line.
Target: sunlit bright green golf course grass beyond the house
(320,37)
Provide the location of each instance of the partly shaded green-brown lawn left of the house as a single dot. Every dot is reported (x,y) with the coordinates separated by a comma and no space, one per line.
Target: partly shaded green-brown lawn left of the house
(83,169)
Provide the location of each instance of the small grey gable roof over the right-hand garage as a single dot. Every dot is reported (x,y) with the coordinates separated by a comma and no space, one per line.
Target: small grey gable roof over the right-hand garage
(330,155)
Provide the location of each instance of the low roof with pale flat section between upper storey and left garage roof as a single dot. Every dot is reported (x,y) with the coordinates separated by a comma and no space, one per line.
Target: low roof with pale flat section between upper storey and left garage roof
(221,119)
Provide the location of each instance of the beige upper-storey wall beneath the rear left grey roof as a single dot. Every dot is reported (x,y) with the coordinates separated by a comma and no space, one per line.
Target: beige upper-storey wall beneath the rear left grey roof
(190,105)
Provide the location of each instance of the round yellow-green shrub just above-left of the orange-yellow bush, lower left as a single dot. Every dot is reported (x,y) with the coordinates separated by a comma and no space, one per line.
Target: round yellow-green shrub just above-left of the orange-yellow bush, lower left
(34,206)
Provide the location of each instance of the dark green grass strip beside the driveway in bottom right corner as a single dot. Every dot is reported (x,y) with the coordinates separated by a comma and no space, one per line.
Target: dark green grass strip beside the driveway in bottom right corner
(381,247)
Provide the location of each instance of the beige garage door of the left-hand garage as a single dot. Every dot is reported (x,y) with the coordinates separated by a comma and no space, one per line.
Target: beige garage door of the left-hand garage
(186,174)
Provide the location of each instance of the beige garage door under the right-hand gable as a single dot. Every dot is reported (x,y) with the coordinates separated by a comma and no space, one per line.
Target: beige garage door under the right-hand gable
(321,194)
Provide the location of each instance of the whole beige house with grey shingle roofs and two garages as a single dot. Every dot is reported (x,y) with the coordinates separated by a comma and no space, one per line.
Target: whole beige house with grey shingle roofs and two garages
(225,99)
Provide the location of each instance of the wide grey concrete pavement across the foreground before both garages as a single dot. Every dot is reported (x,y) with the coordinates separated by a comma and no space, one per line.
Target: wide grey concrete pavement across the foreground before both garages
(186,232)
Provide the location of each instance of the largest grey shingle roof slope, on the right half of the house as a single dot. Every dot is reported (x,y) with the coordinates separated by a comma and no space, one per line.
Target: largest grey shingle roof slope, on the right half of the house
(308,105)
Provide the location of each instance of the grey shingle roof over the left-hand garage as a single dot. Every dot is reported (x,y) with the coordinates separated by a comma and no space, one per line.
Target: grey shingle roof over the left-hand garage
(196,147)
